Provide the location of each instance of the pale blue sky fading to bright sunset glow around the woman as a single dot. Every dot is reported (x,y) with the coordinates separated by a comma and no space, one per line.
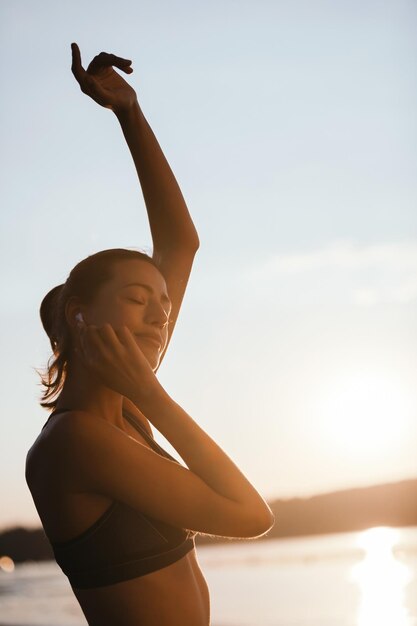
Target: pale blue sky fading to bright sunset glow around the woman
(291,129)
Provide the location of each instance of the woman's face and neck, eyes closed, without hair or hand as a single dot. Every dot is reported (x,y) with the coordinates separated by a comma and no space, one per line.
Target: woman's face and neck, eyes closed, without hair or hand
(120,302)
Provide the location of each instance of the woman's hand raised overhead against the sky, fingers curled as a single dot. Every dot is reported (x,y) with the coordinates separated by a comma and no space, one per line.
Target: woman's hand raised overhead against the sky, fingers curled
(102,83)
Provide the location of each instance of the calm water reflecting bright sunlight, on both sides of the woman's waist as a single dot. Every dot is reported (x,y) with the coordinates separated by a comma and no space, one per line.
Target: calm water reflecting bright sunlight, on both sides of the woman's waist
(349,579)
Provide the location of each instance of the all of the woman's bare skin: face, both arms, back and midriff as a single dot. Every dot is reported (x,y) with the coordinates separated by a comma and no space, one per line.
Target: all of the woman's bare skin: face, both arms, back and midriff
(112,366)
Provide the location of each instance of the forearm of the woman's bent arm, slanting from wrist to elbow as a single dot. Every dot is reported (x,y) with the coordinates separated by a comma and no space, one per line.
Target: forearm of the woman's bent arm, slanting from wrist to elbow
(203,456)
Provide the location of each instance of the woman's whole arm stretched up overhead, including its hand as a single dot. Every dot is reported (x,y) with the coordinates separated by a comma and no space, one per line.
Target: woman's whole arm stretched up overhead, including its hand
(175,239)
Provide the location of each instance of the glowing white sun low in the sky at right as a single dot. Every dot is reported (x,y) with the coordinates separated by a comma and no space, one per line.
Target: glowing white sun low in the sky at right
(366,412)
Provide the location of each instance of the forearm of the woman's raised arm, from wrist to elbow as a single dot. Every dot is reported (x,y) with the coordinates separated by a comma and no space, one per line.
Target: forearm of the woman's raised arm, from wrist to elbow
(170,222)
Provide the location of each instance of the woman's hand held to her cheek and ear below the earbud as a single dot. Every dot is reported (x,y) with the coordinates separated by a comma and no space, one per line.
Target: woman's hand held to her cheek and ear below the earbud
(114,357)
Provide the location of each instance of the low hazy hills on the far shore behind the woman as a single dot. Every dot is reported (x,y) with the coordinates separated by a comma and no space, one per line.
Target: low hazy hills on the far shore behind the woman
(392,504)
